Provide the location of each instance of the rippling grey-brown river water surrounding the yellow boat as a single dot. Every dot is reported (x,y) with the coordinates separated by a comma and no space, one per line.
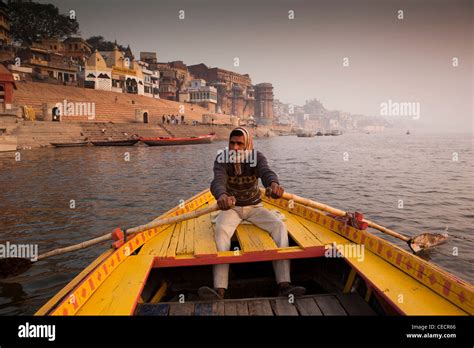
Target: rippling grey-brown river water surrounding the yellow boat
(430,175)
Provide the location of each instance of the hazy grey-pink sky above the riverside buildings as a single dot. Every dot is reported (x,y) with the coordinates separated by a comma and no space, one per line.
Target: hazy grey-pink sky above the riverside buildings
(407,60)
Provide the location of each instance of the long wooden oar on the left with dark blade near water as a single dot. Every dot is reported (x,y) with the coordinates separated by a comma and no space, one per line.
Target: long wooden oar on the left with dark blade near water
(12,266)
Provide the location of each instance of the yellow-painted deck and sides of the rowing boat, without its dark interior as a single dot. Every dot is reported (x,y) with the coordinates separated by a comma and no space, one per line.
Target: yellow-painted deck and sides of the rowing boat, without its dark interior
(113,283)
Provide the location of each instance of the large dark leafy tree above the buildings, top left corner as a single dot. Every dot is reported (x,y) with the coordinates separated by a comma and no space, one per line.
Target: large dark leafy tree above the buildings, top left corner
(31,22)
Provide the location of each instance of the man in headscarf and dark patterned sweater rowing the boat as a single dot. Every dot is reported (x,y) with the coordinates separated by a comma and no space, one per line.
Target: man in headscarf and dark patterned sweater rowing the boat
(235,187)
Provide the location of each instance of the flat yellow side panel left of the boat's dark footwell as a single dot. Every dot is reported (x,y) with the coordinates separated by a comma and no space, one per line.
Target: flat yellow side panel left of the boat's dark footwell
(119,293)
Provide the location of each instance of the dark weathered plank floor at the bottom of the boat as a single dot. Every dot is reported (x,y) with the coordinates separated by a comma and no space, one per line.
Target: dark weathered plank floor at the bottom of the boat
(321,304)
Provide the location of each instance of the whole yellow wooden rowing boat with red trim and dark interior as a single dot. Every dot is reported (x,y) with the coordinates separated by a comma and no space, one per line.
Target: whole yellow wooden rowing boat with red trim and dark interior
(158,271)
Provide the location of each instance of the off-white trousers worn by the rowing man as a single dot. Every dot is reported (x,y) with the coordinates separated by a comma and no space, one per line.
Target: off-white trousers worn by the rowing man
(226,223)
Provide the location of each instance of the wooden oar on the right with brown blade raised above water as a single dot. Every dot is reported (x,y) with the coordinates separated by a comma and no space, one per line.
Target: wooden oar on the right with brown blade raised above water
(417,243)
